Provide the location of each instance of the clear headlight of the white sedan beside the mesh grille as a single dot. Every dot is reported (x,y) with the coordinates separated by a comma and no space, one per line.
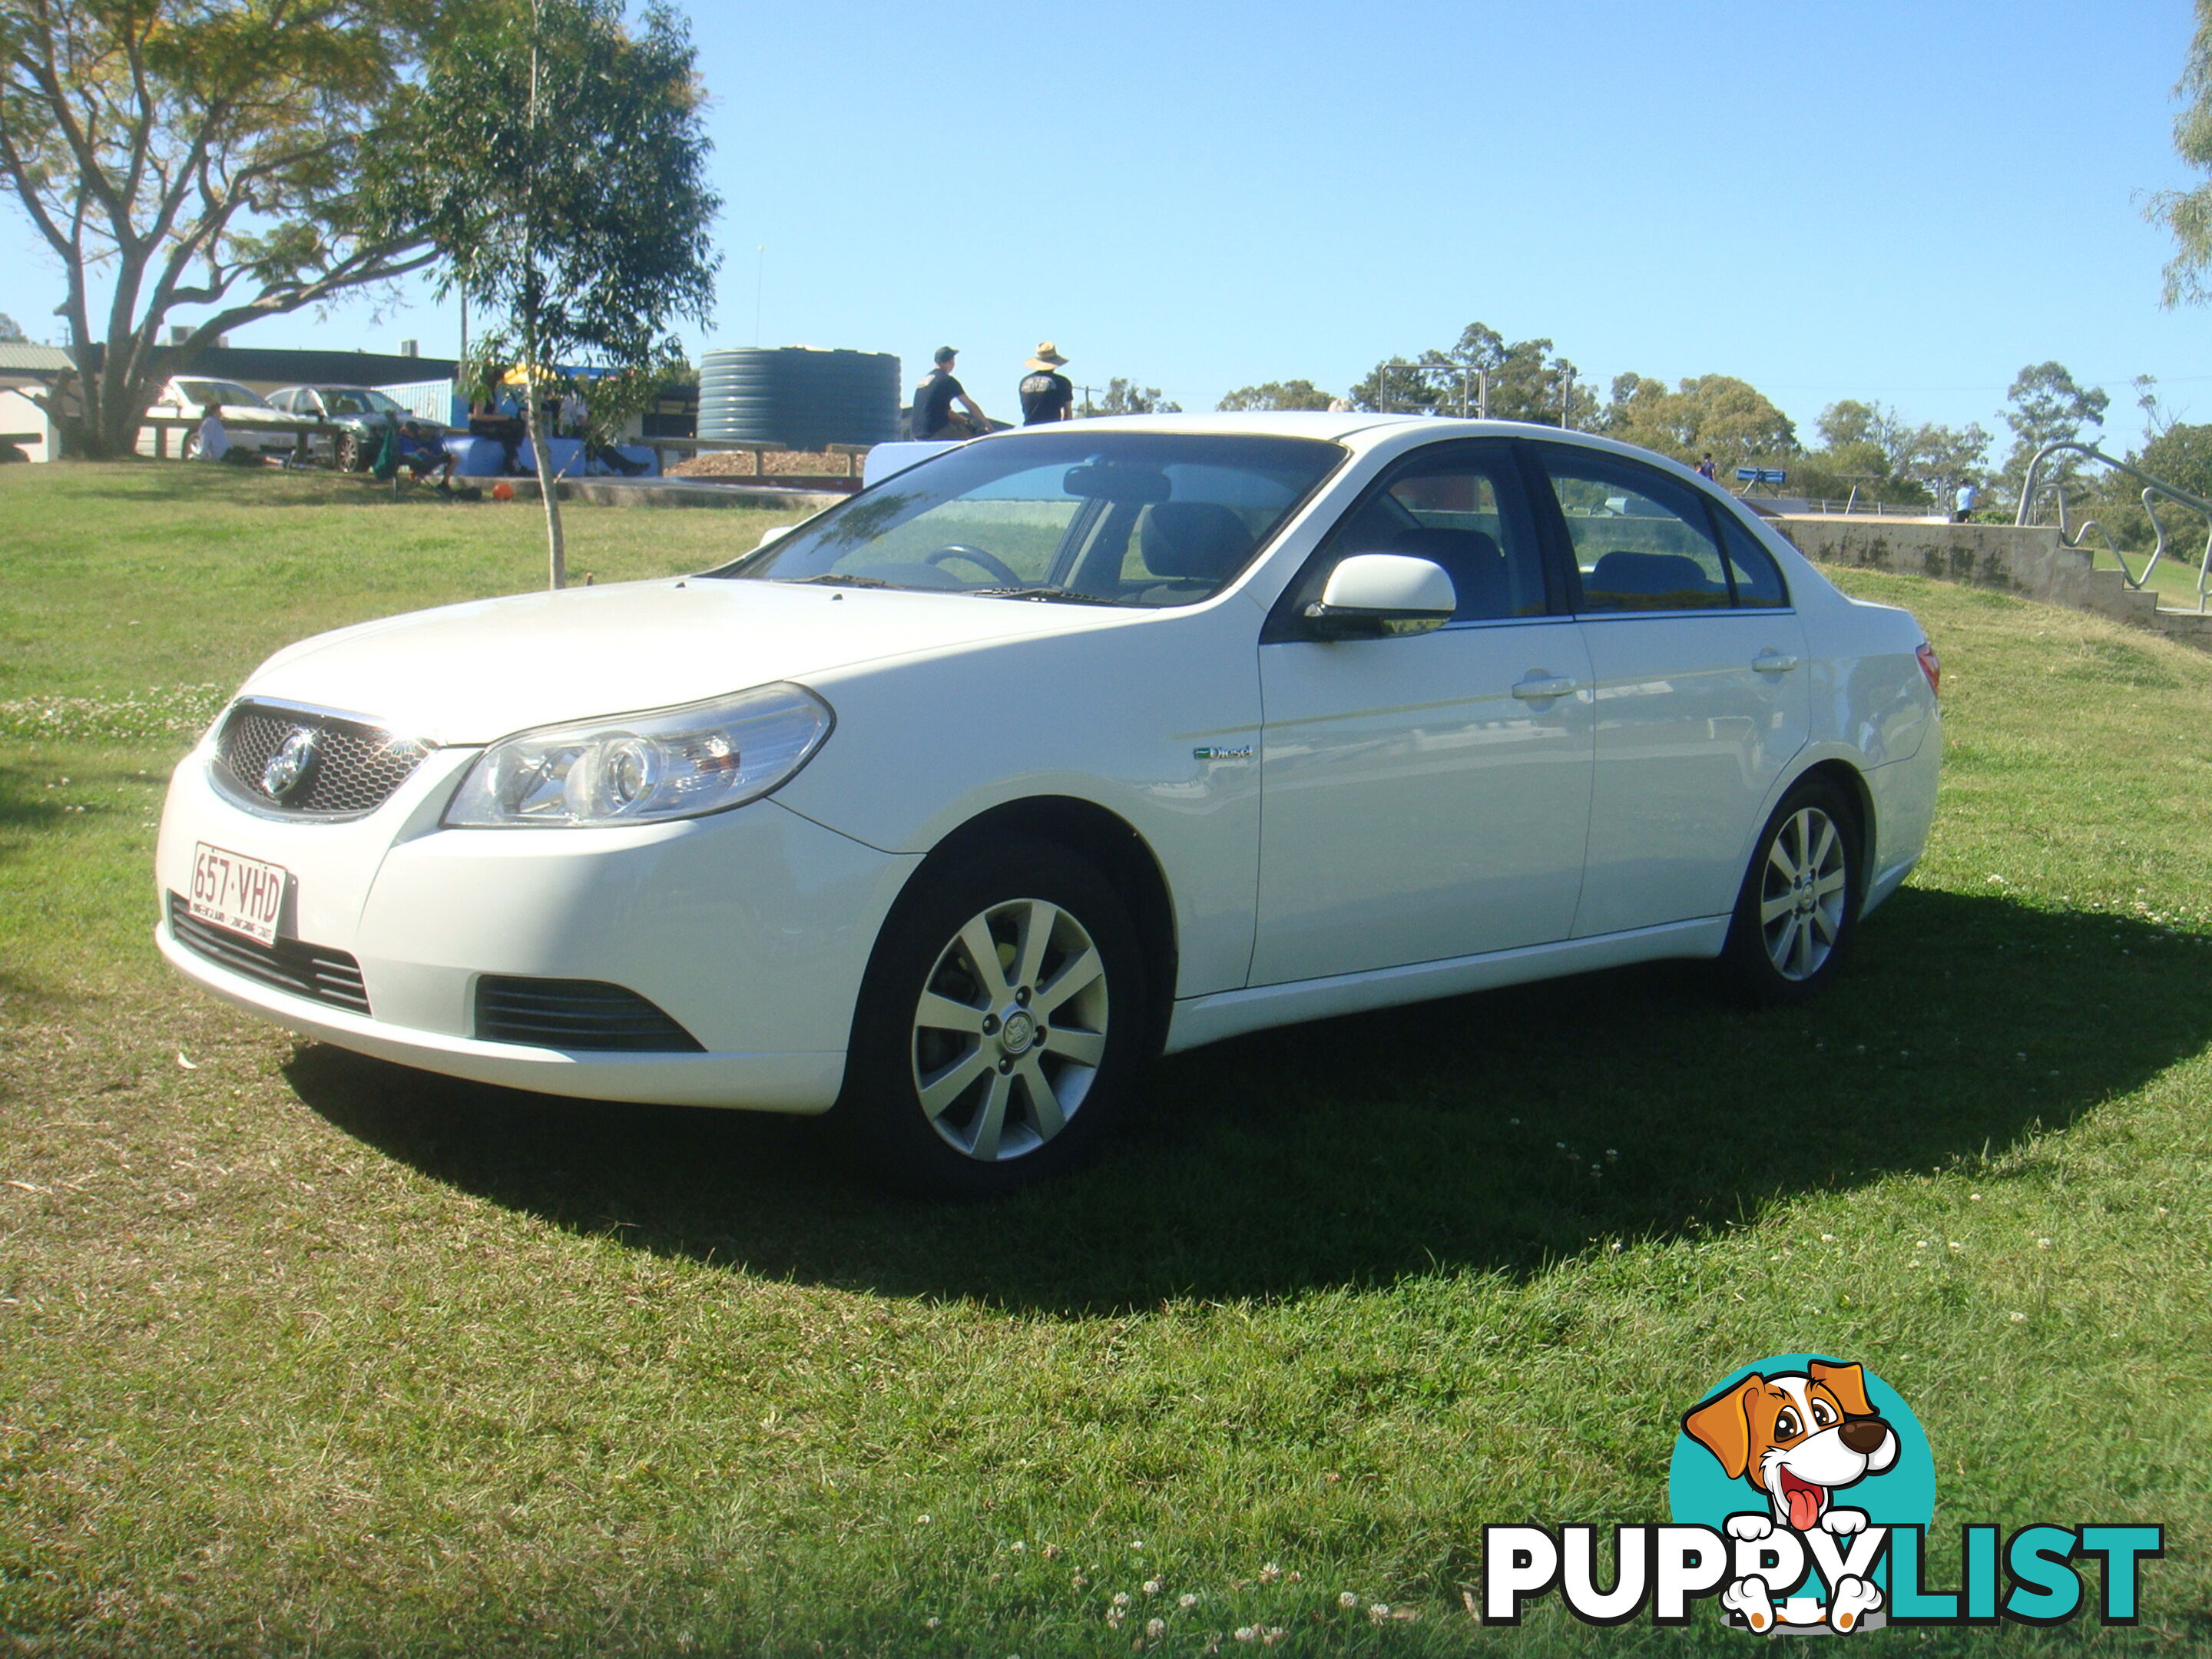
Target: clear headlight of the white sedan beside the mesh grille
(645,769)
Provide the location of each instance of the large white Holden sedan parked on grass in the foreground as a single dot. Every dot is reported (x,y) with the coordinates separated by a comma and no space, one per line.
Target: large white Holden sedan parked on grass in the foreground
(952,806)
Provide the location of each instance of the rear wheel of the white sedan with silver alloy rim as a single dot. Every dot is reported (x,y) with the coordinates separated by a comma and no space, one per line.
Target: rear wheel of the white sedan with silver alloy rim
(1799,904)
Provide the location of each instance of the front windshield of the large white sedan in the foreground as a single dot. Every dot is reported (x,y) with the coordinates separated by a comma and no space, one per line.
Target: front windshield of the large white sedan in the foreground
(1140,519)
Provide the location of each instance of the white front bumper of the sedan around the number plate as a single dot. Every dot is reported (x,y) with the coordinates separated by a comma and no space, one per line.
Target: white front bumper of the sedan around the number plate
(749,928)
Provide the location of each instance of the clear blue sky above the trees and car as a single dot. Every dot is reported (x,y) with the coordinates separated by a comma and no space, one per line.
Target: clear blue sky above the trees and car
(1901,202)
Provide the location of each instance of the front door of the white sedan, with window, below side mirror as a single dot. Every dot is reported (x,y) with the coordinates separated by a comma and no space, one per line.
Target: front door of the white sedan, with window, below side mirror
(1426,795)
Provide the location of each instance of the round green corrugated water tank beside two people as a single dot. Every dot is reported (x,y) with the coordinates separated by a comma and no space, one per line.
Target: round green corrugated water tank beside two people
(800,397)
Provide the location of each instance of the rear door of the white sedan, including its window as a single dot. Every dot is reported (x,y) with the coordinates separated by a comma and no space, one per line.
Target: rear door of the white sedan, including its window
(1702,696)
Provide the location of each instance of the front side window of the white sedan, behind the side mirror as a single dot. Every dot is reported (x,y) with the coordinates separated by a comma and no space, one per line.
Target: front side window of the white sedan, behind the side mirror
(1457,508)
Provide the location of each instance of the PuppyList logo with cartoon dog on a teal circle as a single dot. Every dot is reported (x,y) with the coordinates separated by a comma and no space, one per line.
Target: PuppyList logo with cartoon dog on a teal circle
(1802,1496)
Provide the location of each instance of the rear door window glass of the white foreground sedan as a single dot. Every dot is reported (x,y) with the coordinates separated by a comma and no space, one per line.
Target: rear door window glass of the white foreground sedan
(1642,541)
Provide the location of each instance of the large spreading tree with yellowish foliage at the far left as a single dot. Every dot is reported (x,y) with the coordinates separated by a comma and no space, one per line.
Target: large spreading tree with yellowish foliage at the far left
(205,156)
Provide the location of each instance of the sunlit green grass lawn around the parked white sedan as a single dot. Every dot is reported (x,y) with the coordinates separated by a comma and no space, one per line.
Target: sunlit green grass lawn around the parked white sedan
(306,1353)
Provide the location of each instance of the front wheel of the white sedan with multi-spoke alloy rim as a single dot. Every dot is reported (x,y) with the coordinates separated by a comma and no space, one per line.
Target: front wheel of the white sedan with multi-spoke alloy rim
(1001,1025)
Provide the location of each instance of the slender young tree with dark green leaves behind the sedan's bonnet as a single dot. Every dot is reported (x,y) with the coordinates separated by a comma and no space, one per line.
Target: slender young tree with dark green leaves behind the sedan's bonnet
(561,176)
